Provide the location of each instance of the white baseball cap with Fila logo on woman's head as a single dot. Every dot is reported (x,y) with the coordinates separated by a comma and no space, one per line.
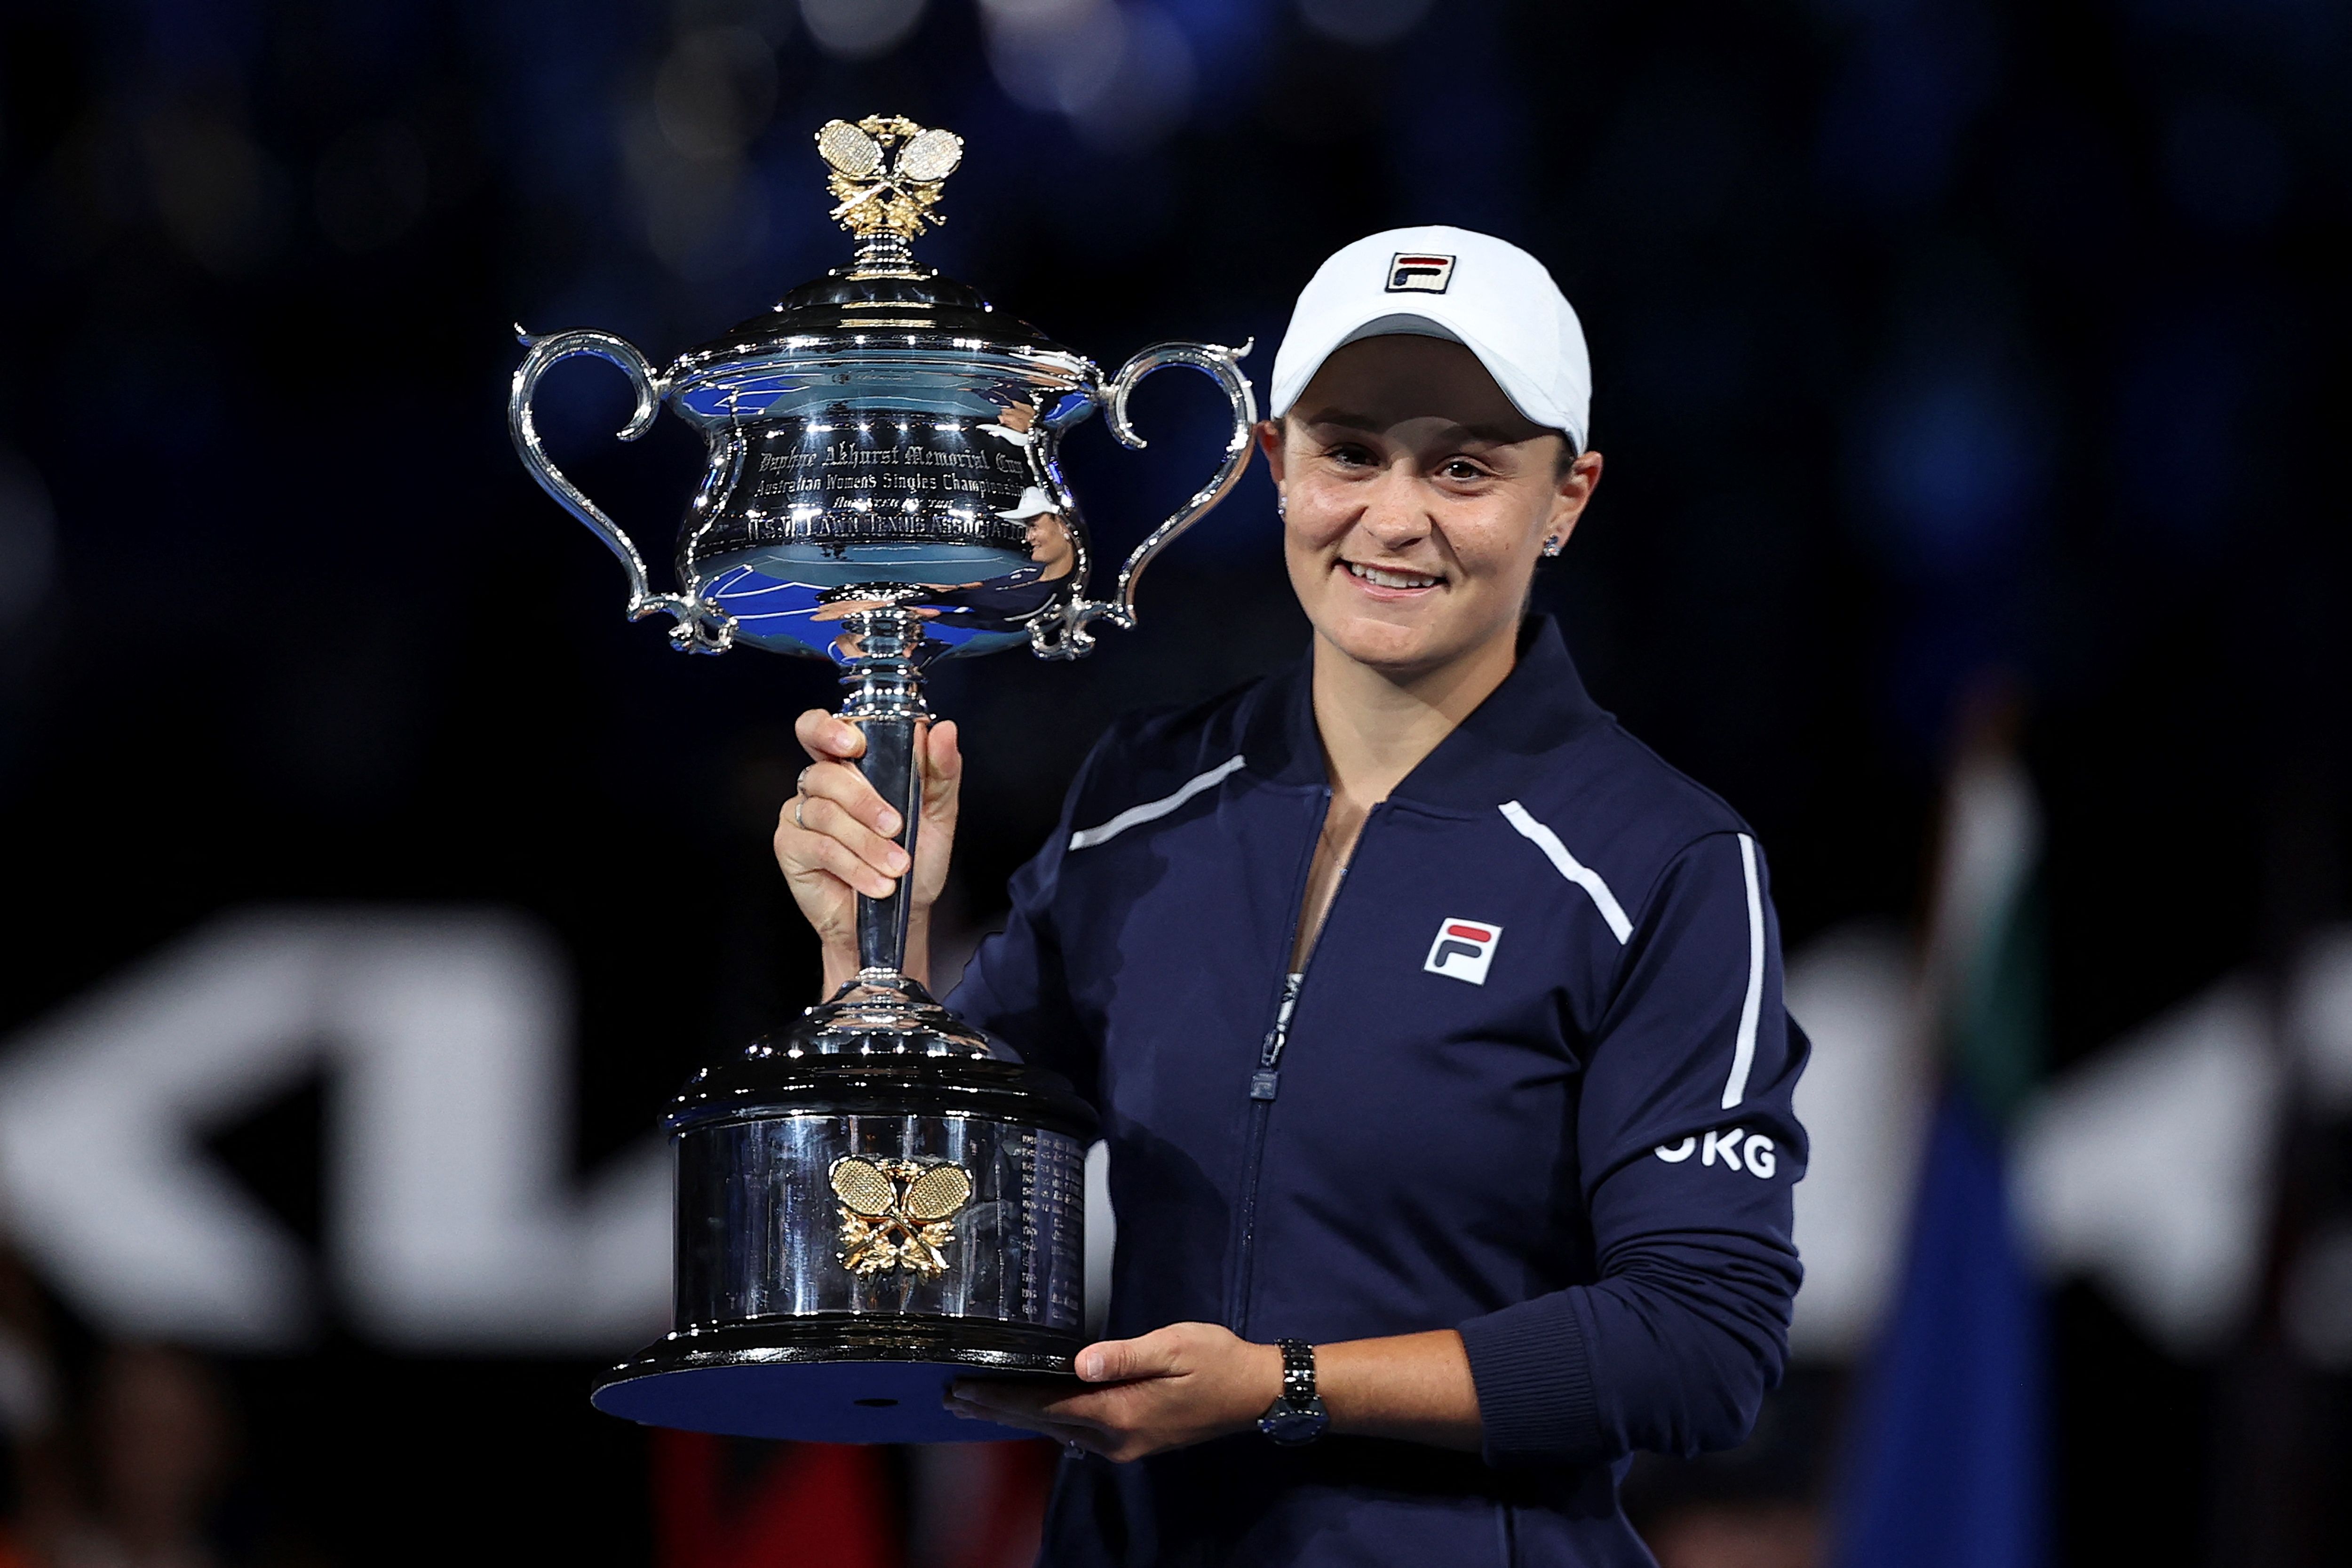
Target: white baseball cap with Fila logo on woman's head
(1459,286)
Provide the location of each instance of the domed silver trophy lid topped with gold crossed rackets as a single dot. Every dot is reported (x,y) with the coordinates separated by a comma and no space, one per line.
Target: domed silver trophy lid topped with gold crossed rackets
(886,177)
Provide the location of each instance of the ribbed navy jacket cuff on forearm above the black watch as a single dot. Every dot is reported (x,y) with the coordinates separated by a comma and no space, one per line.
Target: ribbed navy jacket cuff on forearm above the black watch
(1535,1383)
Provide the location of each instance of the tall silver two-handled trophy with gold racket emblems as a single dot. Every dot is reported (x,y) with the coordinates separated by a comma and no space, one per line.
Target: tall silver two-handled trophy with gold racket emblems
(871,1202)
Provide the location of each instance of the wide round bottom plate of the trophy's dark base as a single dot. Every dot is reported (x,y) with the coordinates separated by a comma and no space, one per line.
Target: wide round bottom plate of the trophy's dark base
(829,1379)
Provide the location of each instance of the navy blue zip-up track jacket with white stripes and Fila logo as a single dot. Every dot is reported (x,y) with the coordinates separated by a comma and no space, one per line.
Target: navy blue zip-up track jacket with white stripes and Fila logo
(1532,1087)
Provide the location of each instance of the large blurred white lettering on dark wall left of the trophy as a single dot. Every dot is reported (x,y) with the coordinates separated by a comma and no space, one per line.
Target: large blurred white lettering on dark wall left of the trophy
(450,1224)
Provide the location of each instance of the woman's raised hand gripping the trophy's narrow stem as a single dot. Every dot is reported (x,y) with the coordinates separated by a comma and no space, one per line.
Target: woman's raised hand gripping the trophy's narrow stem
(834,840)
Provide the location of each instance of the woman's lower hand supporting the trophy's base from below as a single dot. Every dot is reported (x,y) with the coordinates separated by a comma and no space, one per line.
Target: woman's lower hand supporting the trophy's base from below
(1175,1386)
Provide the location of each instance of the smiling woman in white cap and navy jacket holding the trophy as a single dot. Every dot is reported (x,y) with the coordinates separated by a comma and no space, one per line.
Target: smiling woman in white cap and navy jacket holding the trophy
(1436,1024)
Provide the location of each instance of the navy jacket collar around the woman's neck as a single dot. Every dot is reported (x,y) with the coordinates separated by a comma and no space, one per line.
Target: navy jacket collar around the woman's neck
(1506,739)
